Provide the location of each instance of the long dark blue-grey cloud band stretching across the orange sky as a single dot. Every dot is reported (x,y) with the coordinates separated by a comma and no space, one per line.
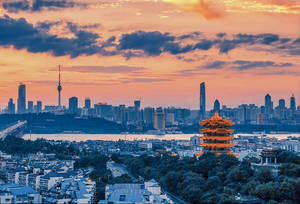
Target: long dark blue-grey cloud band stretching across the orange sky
(20,34)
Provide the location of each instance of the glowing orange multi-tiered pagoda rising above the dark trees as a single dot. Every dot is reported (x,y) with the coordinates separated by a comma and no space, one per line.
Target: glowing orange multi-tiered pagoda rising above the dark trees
(217,137)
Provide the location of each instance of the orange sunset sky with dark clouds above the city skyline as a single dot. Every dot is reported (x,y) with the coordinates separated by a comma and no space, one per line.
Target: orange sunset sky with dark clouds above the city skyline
(159,51)
